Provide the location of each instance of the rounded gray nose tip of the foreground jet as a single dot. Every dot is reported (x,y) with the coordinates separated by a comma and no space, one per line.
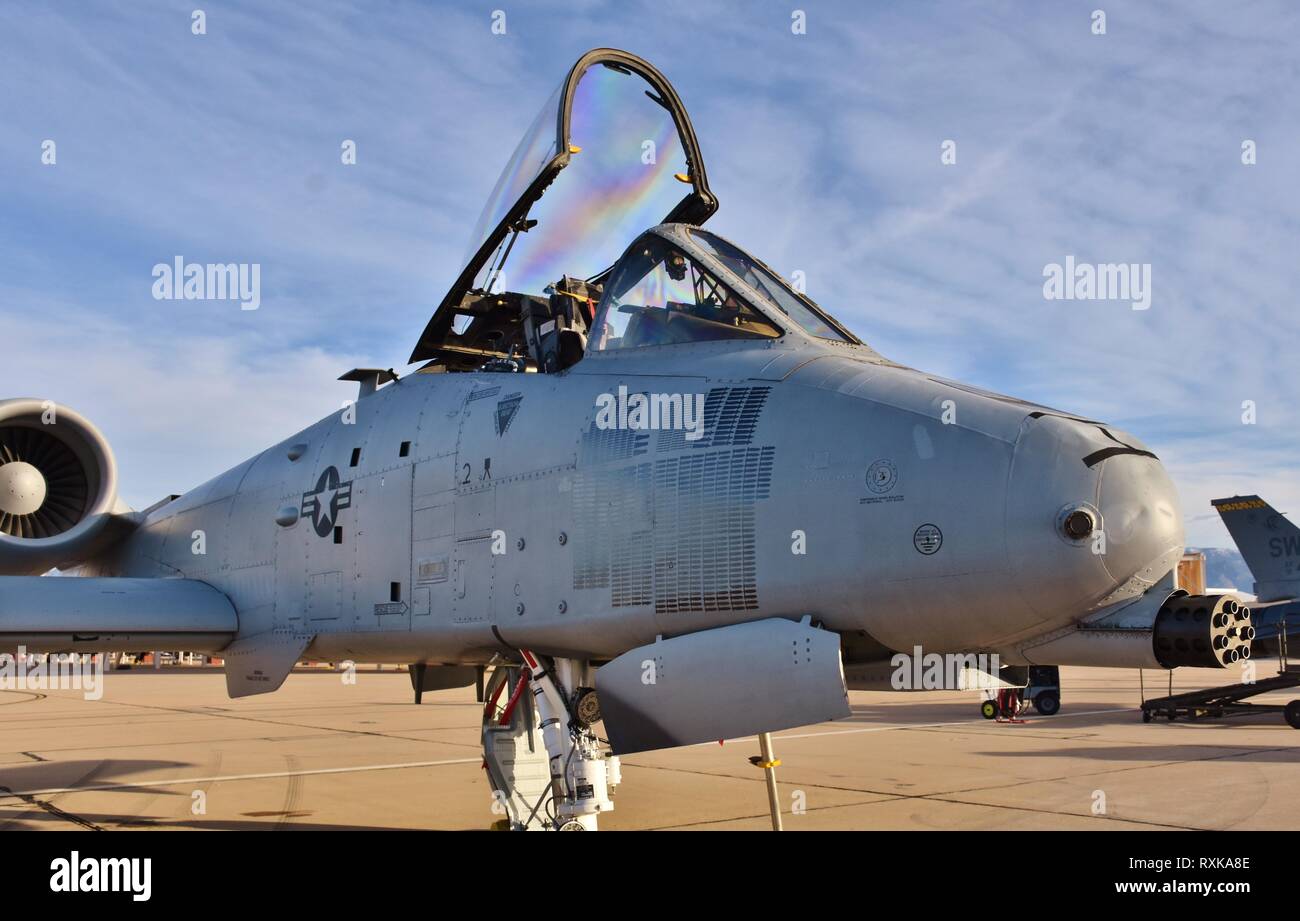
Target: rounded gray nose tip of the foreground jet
(1093,517)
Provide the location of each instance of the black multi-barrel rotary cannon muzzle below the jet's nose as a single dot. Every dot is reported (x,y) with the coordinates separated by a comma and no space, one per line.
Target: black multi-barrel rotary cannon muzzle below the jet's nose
(1210,632)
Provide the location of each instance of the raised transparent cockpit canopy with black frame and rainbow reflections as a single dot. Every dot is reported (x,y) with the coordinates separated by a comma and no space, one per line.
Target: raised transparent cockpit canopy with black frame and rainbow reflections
(610,154)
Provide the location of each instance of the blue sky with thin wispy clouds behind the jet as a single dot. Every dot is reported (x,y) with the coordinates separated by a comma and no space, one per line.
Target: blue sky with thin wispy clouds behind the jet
(824,129)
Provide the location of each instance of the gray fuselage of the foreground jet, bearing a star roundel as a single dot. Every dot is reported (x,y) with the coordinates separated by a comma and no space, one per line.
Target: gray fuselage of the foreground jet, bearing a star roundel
(890,505)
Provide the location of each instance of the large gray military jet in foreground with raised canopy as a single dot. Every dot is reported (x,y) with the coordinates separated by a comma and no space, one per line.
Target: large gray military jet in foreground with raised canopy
(639,475)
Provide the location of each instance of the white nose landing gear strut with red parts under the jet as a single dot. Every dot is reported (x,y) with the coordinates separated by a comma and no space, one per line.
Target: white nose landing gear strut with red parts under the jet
(544,762)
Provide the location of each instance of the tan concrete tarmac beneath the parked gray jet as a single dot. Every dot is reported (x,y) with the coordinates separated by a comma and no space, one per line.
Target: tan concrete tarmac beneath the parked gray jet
(168,750)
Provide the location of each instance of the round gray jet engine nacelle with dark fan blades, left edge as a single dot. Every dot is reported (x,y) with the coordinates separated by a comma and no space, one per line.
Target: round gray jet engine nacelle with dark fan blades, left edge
(58,487)
